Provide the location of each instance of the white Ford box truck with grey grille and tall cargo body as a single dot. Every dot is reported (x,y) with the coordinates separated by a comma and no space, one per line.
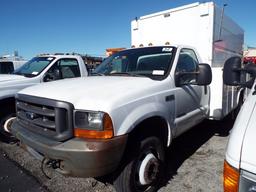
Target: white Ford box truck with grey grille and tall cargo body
(121,120)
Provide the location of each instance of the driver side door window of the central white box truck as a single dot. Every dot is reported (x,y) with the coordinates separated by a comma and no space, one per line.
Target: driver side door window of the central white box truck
(187,62)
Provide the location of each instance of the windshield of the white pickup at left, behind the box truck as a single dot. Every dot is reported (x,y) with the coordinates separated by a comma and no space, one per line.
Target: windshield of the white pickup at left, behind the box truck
(34,67)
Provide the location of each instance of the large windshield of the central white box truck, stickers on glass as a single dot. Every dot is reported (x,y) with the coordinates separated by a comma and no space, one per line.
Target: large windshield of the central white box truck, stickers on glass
(153,62)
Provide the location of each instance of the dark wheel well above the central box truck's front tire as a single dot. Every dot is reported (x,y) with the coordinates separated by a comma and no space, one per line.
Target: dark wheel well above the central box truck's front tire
(154,126)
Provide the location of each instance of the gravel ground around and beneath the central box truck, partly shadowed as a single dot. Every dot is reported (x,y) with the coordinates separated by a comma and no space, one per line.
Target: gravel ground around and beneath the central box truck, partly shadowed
(195,162)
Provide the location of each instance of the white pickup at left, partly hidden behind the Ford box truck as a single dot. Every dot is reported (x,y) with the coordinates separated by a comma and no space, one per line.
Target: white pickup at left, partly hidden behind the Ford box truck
(39,69)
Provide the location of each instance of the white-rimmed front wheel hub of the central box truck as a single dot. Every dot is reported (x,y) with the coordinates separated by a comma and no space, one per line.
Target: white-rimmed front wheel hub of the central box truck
(148,169)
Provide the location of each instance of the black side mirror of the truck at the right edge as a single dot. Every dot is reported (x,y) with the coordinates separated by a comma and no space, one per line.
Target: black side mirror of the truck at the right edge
(232,71)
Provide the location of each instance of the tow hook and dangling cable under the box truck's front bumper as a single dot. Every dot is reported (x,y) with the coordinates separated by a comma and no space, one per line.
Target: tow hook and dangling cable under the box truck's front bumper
(48,164)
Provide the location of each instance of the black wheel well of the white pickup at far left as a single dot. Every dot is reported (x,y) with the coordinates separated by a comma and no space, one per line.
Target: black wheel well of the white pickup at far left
(7,106)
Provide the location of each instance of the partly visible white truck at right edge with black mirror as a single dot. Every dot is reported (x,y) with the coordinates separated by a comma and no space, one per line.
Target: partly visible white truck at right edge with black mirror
(240,161)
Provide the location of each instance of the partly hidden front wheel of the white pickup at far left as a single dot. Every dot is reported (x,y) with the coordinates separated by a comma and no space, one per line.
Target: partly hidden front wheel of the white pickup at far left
(5,126)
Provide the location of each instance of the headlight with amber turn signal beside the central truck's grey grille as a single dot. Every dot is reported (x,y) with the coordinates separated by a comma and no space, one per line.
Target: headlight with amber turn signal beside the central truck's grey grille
(93,124)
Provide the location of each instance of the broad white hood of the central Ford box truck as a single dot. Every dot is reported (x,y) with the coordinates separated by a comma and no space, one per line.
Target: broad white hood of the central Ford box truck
(99,93)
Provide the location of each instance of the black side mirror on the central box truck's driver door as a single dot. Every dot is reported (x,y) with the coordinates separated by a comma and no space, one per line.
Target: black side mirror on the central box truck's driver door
(204,76)
